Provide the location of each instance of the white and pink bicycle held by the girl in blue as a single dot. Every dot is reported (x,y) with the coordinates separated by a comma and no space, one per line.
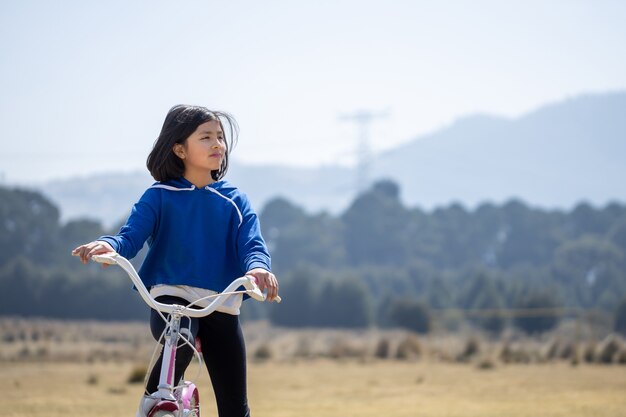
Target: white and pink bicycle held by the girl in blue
(182,400)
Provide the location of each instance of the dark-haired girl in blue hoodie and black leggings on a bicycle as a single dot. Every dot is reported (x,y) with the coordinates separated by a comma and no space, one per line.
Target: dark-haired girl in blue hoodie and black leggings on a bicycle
(202,233)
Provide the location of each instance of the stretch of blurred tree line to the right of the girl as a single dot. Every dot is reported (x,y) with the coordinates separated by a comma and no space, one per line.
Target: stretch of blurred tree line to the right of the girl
(407,263)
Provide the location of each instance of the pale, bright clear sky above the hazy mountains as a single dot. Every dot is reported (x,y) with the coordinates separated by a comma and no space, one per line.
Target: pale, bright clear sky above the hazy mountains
(85,85)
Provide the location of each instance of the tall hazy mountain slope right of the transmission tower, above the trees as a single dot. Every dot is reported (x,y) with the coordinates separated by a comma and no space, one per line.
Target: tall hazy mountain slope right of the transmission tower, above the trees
(555,156)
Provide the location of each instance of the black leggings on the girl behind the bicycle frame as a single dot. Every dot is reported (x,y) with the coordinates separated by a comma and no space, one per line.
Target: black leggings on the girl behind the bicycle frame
(223,351)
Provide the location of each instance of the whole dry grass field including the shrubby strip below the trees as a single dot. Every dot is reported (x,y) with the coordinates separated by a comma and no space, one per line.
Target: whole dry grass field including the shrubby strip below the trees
(51,369)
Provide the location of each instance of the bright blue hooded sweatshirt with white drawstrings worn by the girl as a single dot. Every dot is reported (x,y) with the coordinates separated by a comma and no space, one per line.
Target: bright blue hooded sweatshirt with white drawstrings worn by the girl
(201,237)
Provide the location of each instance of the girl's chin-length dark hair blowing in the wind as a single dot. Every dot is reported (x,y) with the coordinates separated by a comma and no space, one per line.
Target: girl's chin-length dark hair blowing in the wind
(181,121)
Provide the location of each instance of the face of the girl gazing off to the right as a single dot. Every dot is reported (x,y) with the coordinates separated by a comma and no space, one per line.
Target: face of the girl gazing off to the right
(203,151)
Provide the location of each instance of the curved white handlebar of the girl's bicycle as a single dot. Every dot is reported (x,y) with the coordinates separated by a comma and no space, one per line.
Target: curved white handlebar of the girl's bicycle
(247,282)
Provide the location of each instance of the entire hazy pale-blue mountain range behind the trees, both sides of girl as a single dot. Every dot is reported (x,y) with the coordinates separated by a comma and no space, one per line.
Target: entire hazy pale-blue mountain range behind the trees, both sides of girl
(556,156)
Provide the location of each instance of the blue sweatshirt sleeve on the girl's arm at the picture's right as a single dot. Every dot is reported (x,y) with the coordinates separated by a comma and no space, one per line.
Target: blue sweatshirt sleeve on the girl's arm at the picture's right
(251,247)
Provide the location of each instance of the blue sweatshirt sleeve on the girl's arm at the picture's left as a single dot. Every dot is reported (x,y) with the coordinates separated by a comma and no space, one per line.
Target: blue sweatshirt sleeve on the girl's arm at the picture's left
(140,225)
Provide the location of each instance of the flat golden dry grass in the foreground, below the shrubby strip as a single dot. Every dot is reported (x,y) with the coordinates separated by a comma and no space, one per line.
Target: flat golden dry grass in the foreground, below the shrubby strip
(326,388)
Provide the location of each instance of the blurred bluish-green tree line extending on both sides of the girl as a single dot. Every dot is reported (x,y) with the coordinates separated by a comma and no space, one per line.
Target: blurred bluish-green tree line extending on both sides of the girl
(377,263)
